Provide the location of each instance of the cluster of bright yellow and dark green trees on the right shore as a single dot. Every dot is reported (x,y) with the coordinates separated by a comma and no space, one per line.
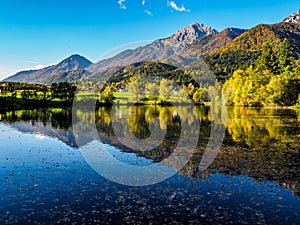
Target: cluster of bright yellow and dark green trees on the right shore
(273,79)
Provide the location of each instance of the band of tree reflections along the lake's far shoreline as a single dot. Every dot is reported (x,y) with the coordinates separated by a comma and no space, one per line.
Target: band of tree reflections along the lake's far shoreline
(245,126)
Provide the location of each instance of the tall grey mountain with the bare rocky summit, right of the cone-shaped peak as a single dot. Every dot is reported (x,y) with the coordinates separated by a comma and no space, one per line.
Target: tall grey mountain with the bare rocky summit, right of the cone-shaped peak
(197,37)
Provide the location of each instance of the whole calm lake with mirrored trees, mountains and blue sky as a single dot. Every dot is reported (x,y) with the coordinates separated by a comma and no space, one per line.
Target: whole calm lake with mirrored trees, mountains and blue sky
(75,167)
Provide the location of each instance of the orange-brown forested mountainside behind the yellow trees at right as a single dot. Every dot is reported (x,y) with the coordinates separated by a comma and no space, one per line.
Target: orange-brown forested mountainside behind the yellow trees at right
(246,48)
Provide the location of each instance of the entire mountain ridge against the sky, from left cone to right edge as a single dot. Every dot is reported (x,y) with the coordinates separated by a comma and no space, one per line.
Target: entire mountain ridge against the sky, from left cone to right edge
(224,51)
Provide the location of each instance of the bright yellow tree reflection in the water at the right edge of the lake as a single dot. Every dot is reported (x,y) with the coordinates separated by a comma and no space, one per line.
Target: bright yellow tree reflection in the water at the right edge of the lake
(255,128)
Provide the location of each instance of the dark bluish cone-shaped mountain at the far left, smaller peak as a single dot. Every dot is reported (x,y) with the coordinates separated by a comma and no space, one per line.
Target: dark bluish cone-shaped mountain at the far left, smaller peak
(74,62)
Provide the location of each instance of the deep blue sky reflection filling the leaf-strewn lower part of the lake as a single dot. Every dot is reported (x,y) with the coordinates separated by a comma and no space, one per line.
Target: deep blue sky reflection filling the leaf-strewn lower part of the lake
(43,179)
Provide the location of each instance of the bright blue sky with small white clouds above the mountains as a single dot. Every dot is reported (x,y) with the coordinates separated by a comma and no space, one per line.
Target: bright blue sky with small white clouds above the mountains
(36,33)
